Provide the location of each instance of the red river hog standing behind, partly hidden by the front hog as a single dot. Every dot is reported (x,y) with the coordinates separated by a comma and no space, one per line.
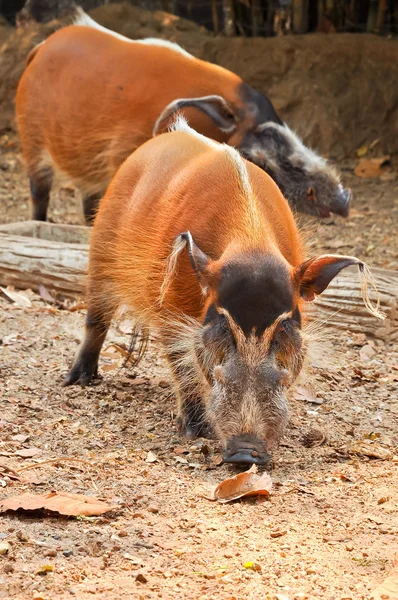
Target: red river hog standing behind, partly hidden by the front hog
(89,97)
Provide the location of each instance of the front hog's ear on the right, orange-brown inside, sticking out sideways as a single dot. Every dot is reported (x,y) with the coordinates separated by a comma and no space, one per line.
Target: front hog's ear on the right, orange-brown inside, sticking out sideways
(314,275)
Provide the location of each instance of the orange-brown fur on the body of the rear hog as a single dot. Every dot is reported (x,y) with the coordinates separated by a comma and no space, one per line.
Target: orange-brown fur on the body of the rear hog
(87,99)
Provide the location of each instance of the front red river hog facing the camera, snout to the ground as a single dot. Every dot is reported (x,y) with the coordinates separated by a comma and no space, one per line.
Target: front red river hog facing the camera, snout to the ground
(204,249)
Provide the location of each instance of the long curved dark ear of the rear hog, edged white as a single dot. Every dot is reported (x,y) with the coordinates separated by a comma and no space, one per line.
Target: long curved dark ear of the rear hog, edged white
(215,107)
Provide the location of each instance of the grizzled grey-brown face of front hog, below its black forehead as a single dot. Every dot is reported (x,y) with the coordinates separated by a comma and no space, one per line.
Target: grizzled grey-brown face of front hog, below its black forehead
(249,376)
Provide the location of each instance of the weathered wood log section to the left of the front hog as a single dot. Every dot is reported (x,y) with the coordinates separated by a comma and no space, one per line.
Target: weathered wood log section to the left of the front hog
(34,253)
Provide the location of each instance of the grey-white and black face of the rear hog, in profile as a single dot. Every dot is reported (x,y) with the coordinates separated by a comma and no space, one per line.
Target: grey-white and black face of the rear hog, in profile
(306,180)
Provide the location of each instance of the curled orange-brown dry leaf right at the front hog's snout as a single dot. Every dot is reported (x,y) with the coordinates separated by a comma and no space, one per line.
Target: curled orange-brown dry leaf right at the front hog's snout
(243,484)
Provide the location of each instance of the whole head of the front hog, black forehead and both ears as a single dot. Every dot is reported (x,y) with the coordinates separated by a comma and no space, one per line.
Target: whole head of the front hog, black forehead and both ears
(250,346)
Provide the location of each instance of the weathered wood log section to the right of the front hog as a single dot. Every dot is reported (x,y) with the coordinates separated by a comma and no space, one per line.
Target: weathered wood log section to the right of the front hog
(341,305)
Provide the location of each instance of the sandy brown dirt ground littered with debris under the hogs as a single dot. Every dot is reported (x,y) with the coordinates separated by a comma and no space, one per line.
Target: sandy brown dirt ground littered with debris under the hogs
(329,529)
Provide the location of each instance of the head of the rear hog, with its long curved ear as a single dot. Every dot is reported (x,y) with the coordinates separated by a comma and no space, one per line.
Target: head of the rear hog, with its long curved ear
(306,179)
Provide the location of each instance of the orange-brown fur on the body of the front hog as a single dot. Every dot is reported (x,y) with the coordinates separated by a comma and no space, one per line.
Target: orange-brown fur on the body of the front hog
(139,219)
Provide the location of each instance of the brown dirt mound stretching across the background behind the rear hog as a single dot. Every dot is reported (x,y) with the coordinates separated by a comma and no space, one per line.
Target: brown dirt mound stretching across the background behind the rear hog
(338,91)
